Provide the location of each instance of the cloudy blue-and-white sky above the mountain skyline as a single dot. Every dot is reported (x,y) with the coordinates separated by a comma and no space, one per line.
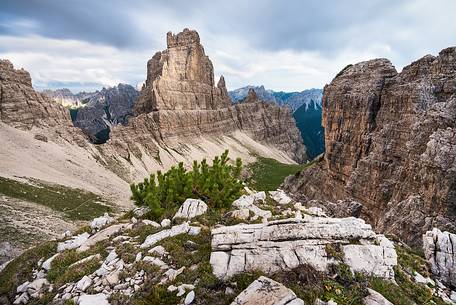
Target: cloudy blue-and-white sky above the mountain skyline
(284,45)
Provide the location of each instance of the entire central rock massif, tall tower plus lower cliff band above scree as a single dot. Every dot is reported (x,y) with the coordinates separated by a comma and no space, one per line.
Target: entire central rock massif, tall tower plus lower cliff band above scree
(180,102)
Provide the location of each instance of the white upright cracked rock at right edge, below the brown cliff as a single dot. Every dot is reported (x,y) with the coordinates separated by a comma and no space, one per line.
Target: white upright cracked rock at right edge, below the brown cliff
(440,250)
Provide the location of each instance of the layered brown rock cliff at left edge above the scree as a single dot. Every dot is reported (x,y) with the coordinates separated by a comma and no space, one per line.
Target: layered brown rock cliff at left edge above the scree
(21,106)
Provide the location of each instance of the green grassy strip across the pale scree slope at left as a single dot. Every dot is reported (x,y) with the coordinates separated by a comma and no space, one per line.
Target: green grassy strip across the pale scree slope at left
(75,204)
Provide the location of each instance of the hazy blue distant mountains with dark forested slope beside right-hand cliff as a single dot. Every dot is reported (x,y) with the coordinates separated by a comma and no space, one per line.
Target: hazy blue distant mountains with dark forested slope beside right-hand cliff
(307,111)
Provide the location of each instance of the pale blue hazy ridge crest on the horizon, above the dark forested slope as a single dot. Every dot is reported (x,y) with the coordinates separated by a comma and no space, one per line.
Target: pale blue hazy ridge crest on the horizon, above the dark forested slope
(293,99)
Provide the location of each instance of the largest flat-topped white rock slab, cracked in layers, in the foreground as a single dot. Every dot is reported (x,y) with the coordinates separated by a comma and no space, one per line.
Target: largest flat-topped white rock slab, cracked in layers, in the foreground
(287,244)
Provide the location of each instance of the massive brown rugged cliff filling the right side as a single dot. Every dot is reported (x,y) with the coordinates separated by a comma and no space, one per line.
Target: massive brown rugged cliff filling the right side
(390,141)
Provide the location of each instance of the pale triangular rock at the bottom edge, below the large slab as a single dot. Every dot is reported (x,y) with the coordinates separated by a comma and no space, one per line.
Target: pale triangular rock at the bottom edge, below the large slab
(267,292)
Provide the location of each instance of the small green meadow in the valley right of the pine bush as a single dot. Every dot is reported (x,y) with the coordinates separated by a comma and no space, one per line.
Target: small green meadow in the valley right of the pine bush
(267,174)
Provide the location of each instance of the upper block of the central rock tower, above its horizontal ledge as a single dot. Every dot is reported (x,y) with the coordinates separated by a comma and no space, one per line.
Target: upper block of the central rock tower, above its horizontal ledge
(182,78)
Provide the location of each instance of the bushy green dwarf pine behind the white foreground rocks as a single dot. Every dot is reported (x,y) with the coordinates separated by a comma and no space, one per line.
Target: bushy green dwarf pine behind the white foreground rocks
(217,185)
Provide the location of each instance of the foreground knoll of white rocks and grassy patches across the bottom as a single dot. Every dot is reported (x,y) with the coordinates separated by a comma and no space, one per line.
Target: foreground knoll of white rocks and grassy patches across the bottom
(268,249)
